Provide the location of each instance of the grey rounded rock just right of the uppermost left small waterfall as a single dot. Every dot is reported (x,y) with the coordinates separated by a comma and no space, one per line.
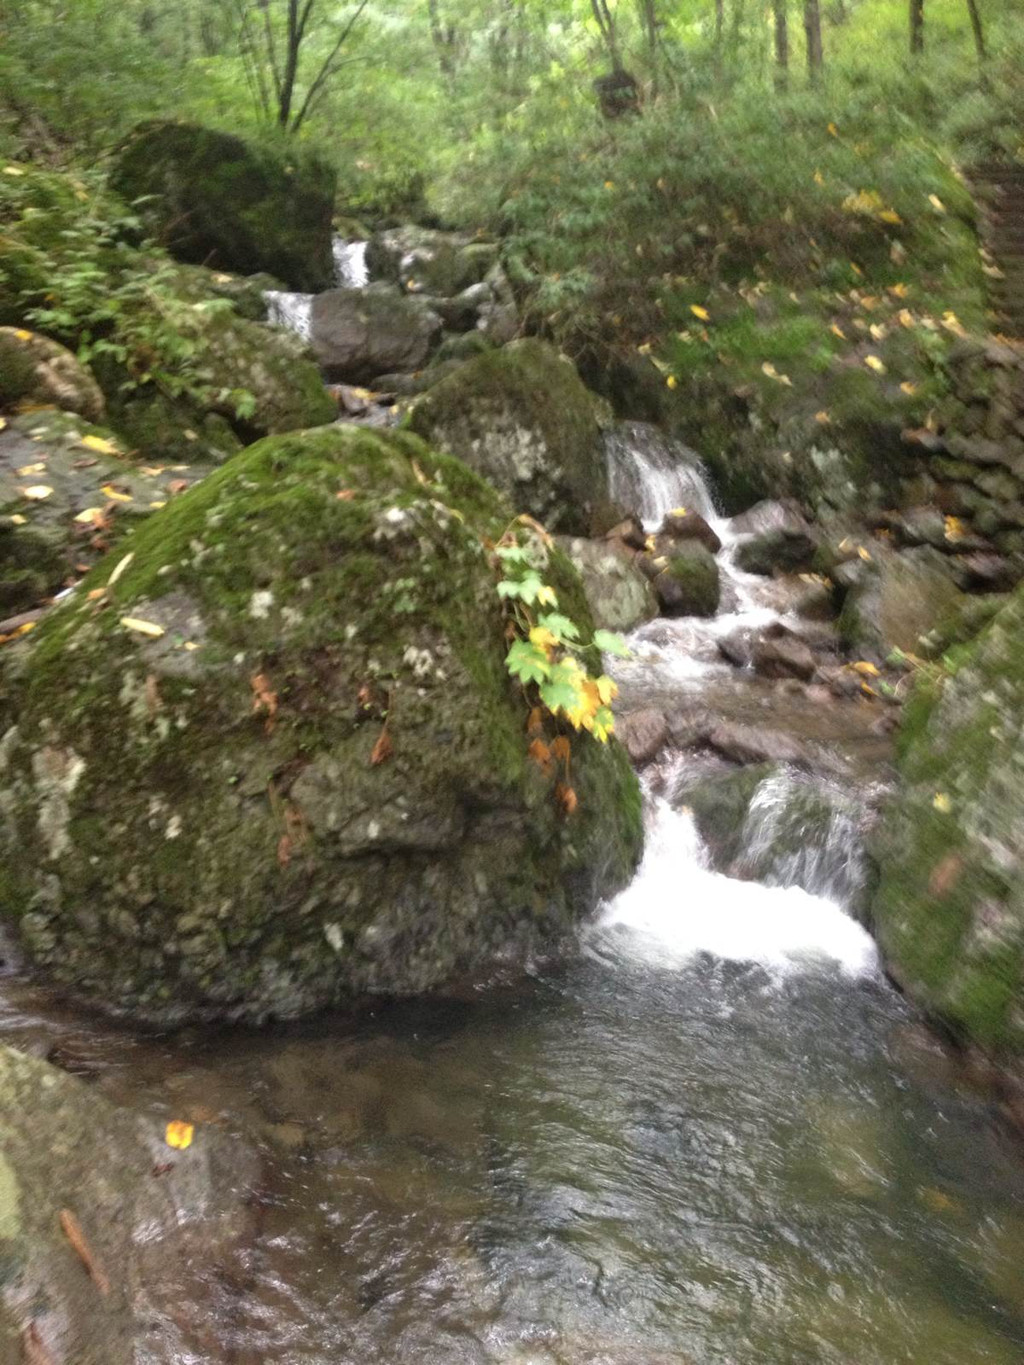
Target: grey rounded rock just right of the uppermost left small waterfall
(361,334)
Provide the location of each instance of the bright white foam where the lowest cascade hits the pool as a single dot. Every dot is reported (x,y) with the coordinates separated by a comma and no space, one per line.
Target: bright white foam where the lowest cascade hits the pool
(677,910)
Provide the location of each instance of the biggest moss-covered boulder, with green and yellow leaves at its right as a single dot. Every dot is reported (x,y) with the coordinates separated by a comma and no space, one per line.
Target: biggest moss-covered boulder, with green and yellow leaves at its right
(207,814)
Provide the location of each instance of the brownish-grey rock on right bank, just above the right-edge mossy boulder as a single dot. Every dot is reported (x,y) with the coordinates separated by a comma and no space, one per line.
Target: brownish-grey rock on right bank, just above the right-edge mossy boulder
(898,599)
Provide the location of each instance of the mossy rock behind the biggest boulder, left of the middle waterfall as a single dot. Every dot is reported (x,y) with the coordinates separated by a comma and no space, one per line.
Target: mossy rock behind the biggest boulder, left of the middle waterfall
(522,418)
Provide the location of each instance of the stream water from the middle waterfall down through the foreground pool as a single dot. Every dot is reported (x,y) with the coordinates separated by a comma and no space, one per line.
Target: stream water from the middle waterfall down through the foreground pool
(713,1138)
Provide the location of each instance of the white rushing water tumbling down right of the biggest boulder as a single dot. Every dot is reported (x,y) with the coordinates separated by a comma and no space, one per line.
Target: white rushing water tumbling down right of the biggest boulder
(677,907)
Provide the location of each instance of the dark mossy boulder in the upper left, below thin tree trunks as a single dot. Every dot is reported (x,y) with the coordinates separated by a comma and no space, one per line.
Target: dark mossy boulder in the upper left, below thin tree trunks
(216,200)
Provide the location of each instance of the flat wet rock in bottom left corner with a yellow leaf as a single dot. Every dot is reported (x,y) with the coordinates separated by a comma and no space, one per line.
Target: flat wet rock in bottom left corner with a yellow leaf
(143,1209)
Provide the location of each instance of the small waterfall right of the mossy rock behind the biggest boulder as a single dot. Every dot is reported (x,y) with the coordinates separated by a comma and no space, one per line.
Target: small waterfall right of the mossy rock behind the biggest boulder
(652,474)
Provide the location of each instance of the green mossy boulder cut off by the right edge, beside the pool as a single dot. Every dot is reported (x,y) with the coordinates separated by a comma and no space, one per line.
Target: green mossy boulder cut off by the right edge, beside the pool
(951,904)
